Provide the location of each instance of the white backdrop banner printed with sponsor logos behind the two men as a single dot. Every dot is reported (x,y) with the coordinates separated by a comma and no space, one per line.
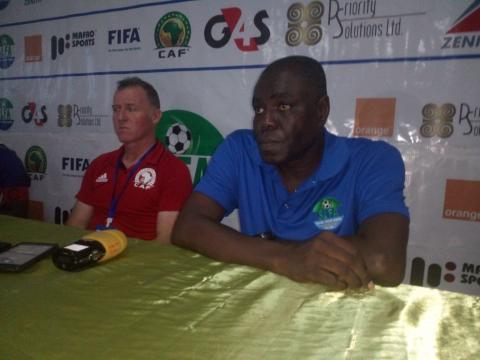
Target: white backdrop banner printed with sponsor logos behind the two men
(405,72)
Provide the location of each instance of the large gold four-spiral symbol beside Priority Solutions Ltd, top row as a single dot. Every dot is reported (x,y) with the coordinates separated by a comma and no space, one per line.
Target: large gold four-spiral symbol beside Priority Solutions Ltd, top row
(304,23)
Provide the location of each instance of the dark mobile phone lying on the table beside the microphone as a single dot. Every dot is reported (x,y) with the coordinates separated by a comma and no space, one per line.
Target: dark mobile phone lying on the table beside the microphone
(23,255)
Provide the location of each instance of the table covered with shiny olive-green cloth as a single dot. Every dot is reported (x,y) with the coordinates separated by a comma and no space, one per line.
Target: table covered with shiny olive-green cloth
(160,302)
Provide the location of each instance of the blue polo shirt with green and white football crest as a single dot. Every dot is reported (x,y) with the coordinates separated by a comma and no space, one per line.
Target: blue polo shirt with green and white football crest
(357,178)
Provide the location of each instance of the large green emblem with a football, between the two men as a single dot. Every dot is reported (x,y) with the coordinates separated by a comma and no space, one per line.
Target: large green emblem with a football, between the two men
(190,137)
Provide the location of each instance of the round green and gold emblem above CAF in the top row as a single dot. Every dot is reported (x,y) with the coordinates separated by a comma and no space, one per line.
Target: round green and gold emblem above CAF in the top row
(172,30)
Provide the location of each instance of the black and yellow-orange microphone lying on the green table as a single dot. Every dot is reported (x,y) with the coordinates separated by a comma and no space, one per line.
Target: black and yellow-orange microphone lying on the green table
(93,248)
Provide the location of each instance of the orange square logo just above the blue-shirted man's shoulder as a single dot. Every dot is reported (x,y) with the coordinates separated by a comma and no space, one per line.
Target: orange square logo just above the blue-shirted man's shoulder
(374,117)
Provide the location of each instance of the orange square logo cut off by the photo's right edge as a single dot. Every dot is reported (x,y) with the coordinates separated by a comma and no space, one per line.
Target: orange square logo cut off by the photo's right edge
(462,200)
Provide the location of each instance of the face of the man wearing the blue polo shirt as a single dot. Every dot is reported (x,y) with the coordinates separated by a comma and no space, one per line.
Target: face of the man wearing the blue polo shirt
(288,123)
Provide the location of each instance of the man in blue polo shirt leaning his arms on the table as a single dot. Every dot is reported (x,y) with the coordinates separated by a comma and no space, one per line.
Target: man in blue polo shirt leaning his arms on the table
(333,206)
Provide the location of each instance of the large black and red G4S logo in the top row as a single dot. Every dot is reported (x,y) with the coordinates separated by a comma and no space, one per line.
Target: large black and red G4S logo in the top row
(231,17)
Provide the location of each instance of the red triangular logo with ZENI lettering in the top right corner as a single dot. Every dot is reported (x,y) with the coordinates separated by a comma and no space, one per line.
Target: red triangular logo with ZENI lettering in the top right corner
(465,30)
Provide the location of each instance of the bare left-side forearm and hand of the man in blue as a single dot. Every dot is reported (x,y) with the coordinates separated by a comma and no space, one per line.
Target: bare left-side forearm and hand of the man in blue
(322,261)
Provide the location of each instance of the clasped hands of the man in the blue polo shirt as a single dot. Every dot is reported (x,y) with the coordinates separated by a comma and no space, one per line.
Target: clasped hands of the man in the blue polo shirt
(326,259)
